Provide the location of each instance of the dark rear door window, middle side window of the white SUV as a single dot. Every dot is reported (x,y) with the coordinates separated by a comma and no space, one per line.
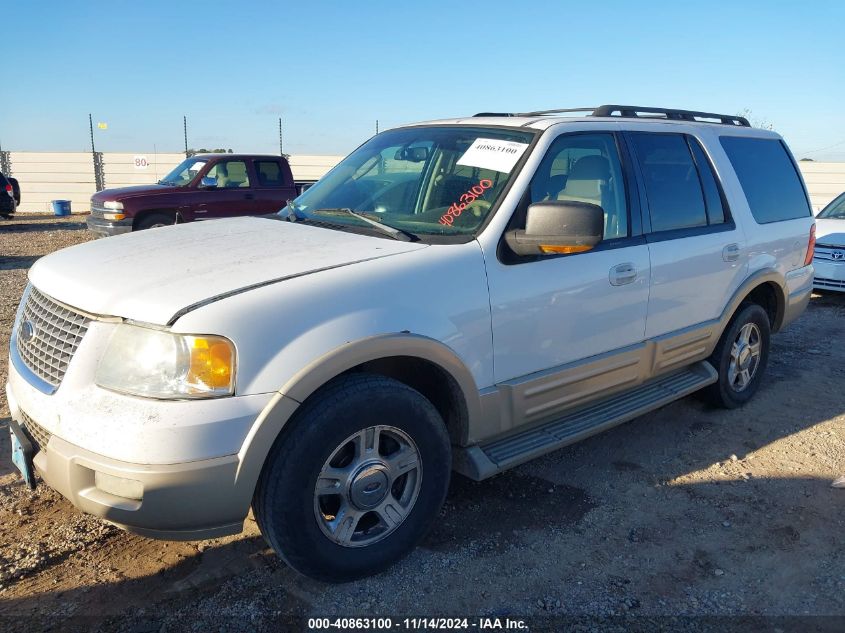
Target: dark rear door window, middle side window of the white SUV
(672,187)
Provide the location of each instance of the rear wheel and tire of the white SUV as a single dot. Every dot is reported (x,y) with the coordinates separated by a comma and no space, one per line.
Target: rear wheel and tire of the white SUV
(735,387)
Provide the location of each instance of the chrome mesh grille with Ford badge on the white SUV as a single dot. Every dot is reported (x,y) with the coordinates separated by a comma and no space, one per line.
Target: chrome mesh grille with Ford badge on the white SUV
(57,331)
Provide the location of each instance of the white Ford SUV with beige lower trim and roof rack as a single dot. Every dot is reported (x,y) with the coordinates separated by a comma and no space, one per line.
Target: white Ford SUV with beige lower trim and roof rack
(464,294)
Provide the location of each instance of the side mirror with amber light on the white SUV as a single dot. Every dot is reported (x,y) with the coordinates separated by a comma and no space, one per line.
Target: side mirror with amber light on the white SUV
(558,227)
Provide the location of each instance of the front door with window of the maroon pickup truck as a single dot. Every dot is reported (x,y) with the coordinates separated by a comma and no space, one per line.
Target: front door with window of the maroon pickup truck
(227,190)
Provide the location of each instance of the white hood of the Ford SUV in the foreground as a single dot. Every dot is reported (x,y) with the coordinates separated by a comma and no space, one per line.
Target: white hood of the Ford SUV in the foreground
(151,275)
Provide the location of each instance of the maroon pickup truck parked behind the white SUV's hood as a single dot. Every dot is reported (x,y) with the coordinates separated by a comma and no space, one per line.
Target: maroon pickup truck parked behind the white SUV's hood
(201,187)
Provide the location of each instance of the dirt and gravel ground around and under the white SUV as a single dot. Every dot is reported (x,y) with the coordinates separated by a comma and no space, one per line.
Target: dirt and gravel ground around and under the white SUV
(688,511)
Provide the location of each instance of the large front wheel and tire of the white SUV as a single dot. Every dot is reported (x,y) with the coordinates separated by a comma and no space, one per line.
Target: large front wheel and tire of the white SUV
(356,481)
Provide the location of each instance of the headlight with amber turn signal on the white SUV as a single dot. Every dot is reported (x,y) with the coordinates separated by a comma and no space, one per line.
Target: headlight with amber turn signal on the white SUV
(161,364)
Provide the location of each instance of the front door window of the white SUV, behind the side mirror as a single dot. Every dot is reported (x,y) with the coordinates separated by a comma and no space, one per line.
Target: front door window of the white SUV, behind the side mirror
(585,168)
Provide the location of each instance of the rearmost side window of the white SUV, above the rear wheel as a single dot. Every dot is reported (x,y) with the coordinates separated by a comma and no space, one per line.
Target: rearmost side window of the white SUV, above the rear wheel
(768,177)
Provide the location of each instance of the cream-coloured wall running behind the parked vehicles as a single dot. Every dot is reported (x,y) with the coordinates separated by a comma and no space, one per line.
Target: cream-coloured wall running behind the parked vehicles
(70,175)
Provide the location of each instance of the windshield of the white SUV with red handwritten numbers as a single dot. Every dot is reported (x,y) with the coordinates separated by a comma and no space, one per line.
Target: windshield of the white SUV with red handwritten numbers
(424,180)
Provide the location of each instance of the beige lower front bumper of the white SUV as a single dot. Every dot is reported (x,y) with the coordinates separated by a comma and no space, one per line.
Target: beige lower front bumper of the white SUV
(187,501)
